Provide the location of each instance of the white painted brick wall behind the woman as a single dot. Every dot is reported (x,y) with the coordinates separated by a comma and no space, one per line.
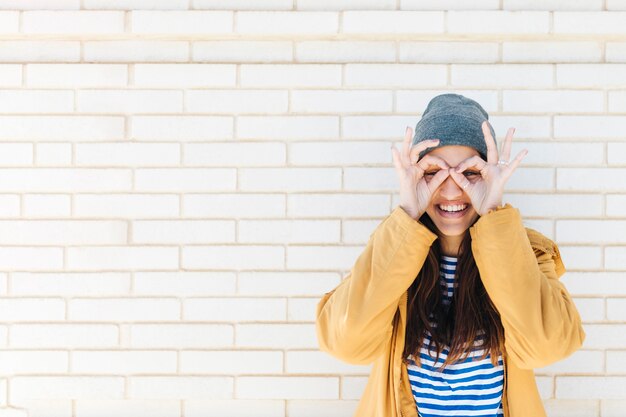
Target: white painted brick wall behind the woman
(183,179)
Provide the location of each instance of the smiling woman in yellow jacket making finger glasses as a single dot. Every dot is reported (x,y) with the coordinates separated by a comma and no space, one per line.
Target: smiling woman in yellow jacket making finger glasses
(452,300)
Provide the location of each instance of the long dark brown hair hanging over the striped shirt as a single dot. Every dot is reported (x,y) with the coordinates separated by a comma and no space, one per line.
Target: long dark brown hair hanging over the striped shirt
(470,313)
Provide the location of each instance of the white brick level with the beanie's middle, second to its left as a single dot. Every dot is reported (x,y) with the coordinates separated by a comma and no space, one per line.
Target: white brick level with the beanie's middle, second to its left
(287,128)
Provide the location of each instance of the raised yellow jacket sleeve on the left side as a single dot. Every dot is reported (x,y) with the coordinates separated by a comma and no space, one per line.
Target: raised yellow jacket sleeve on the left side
(354,321)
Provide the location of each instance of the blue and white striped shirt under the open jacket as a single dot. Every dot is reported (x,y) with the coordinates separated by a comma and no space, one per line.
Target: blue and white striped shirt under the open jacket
(469,387)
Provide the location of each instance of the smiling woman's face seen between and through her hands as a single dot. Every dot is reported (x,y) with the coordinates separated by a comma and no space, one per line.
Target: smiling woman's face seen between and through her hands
(450,207)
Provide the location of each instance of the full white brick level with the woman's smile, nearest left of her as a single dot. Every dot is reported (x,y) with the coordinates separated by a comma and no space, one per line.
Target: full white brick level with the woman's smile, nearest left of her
(337,205)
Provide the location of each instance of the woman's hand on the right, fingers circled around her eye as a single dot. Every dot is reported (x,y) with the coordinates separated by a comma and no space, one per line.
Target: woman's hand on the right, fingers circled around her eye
(486,191)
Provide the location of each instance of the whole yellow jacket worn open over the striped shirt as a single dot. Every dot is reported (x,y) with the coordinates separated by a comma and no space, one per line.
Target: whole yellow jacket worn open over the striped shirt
(363,319)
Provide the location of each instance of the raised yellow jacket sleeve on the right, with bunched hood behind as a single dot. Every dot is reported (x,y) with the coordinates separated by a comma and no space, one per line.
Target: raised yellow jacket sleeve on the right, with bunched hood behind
(520,269)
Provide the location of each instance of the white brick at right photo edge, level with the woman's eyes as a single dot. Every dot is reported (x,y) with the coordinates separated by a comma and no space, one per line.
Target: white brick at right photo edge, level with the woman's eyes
(590,179)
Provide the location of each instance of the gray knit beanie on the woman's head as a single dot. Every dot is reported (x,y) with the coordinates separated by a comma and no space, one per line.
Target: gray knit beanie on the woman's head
(454,120)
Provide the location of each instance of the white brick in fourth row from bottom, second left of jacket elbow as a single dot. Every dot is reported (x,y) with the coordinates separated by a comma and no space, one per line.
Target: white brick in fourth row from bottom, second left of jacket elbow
(181,336)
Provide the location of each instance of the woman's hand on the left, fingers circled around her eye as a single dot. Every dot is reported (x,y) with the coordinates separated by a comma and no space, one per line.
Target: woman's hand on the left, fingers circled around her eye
(416,189)
